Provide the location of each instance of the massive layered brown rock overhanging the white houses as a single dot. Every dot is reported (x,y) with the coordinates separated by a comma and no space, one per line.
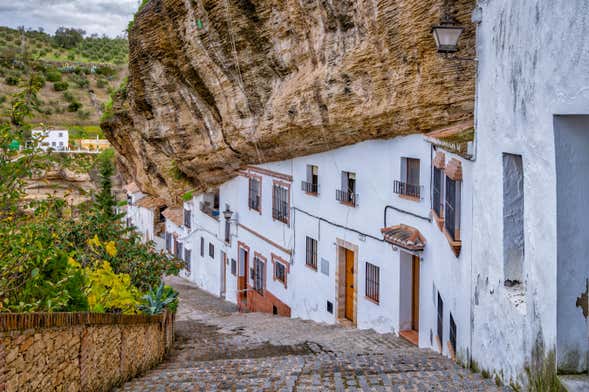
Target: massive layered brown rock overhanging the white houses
(218,84)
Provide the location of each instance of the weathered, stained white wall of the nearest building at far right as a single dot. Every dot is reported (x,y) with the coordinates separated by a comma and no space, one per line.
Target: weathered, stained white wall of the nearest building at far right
(532,101)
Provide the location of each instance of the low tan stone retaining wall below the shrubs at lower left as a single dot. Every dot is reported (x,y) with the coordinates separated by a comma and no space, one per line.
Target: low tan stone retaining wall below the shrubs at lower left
(79,351)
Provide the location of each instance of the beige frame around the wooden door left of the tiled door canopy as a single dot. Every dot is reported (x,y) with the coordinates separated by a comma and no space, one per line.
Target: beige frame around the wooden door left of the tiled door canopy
(340,281)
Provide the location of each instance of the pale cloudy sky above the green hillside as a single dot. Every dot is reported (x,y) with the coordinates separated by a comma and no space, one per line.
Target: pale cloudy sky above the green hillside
(108,17)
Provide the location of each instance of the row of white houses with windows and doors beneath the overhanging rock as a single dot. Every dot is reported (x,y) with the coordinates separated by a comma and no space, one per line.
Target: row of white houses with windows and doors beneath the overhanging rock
(345,236)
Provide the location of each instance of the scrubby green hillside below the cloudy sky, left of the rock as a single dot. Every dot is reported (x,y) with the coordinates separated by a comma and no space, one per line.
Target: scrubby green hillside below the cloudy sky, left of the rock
(78,76)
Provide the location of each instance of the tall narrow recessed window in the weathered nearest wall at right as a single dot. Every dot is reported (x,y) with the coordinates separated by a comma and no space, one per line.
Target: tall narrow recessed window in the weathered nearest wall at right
(513,219)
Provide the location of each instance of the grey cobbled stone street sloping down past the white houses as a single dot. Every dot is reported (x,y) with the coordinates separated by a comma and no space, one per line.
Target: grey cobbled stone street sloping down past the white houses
(219,349)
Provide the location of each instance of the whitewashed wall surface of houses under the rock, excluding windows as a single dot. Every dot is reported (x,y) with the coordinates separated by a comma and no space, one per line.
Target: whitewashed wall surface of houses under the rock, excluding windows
(336,226)
